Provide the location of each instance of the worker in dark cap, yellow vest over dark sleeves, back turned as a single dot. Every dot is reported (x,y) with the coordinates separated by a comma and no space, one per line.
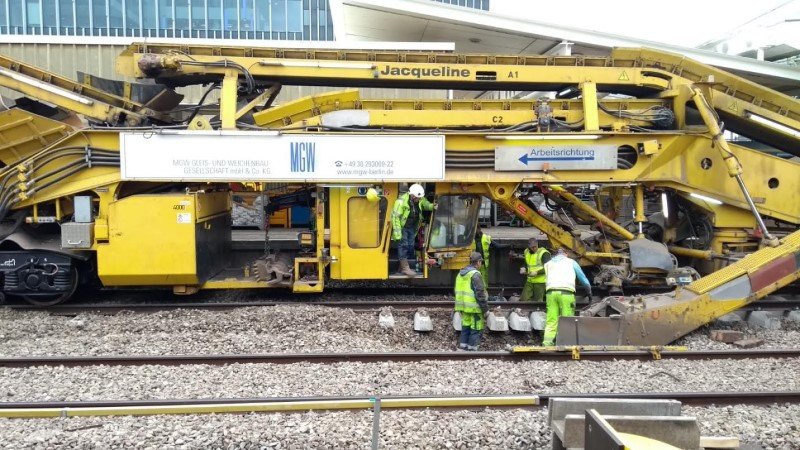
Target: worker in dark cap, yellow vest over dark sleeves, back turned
(472,301)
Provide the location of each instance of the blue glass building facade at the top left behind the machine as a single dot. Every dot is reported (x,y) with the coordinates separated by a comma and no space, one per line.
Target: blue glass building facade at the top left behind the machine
(219,19)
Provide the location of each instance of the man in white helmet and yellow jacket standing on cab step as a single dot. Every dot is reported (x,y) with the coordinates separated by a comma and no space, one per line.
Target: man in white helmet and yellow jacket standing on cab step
(406,213)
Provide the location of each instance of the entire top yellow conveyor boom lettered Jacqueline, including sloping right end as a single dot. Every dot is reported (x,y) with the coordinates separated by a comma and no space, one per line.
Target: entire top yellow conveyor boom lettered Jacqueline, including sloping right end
(627,69)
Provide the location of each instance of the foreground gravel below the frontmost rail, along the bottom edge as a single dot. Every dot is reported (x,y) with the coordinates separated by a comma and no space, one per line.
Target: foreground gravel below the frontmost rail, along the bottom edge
(769,428)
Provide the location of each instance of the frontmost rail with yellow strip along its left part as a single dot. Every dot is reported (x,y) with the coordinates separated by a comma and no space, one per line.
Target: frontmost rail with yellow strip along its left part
(62,408)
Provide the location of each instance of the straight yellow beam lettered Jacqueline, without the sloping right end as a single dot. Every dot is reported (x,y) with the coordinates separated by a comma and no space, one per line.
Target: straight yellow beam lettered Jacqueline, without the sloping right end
(508,71)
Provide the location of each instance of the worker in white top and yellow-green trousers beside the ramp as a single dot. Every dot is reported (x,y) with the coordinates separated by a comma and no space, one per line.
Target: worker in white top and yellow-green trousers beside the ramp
(560,273)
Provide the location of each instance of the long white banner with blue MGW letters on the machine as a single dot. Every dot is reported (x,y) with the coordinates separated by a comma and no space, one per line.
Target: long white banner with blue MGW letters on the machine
(269,156)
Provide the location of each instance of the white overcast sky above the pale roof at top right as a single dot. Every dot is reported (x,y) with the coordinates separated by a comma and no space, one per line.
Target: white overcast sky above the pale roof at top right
(681,22)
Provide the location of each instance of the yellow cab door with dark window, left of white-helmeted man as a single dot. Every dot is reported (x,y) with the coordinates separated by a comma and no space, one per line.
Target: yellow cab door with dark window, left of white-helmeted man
(360,232)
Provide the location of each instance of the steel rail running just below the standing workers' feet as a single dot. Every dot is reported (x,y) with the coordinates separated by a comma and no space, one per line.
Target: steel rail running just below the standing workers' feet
(539,354)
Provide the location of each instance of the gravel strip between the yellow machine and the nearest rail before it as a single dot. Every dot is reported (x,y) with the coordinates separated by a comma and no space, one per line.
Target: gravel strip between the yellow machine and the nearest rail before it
(271,329)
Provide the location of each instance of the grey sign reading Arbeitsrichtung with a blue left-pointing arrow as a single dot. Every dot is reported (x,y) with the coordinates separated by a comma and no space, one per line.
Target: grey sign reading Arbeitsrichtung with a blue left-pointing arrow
(555,157)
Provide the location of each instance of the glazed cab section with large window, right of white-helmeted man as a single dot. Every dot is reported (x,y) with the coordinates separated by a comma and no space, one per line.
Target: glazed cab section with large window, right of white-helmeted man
(451,236)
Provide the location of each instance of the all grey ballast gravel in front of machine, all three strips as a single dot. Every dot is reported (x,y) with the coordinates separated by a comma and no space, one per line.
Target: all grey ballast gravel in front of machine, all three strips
(284,329)
